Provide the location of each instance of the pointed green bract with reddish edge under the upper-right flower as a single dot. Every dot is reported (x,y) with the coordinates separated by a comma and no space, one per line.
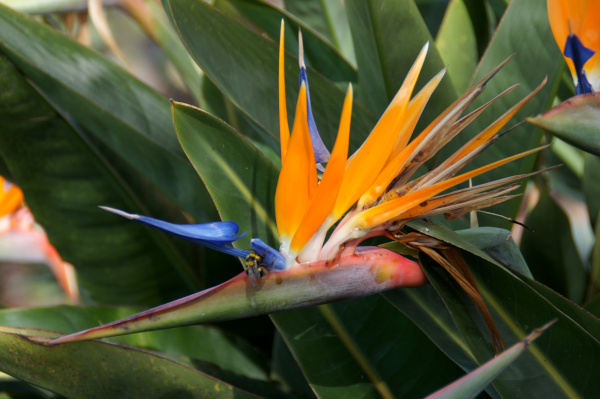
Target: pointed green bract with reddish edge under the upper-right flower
(575,121)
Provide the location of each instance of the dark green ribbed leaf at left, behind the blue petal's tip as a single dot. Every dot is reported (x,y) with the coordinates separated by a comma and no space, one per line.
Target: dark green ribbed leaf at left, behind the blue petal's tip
(65,178)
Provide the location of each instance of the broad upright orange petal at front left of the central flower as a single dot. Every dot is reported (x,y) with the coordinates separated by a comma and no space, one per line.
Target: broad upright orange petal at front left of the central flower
(298,177)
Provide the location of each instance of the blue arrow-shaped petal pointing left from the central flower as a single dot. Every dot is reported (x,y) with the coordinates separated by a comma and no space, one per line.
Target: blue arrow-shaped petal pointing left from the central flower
(211,235)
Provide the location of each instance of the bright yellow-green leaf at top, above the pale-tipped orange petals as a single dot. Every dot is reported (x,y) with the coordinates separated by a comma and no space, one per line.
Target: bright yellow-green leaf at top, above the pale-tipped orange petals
(457,44)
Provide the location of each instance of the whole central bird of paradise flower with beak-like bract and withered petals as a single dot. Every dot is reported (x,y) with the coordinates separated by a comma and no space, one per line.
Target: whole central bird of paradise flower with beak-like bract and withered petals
(367,194)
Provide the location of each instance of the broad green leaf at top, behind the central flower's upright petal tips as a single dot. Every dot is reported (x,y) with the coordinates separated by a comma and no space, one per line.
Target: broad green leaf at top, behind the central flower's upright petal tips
(244,66)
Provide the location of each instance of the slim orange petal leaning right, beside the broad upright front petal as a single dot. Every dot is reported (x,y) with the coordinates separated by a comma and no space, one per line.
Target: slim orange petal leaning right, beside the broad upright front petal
(331,182)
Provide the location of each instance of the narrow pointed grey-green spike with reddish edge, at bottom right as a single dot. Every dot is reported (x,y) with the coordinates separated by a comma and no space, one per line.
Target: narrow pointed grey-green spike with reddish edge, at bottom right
(475,382)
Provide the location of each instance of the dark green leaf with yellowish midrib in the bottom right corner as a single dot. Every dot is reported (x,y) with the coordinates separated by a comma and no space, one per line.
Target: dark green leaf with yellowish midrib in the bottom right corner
(546,369)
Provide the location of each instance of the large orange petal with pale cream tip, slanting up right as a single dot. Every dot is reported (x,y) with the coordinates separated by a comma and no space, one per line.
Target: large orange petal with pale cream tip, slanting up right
(368,161)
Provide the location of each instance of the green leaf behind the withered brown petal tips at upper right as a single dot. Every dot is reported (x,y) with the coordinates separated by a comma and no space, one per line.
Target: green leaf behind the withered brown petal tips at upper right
(524,31)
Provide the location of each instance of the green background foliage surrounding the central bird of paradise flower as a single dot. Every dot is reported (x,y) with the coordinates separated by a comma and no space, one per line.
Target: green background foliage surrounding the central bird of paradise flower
(81,129)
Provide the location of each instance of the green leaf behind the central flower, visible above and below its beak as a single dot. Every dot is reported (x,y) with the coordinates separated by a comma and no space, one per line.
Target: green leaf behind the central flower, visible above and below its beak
(242,183)
